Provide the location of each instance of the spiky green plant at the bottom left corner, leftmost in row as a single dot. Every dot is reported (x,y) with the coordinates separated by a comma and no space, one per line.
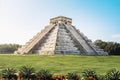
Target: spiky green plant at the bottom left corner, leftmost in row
(9,74)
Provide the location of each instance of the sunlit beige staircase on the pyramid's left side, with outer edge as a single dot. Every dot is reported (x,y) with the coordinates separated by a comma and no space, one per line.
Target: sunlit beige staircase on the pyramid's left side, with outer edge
(29,45)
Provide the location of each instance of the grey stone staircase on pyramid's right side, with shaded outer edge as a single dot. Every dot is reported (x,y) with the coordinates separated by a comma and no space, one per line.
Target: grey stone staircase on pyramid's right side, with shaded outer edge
(87,44)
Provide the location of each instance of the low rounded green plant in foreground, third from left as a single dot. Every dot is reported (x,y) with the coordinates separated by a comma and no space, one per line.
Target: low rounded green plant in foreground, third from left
(43,75)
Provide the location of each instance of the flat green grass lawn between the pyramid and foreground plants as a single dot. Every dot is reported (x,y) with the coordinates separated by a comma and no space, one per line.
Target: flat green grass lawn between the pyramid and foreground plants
(61,64)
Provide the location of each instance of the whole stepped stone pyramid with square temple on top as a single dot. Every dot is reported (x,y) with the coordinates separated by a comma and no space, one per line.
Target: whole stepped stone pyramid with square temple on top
(60,37)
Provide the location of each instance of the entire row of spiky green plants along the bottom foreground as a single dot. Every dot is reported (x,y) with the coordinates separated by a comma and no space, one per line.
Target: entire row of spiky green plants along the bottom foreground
(29,73)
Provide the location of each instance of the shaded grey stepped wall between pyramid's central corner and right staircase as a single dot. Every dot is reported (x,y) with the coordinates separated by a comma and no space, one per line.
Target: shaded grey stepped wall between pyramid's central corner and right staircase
(65,45)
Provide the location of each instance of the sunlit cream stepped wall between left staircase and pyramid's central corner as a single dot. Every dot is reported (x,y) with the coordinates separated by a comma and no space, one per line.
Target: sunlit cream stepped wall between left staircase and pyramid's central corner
(49,43)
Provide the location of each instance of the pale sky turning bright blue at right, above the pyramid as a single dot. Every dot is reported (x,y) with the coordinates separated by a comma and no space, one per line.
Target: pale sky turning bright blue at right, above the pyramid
(20,20)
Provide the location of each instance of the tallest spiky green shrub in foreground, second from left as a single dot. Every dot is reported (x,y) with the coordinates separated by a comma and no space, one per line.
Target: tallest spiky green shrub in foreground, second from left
(27,72)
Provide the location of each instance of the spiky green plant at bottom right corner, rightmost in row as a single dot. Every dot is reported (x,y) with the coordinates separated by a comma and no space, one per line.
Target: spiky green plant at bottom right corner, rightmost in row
(113,74)
